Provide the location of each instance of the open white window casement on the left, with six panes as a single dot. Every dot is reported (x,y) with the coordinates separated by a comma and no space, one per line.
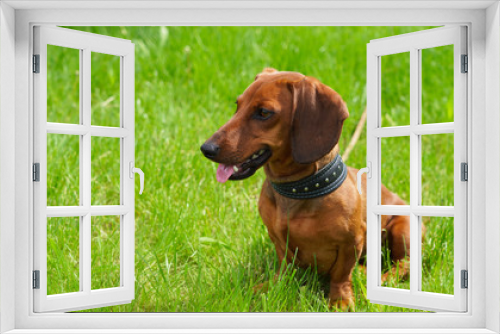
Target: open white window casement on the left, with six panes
(86,44)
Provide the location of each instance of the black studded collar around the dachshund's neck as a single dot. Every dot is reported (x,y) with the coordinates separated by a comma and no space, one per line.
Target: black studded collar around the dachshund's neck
(325,181)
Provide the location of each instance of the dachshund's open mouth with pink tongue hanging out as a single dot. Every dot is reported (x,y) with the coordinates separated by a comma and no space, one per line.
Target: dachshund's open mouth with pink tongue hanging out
(245,169)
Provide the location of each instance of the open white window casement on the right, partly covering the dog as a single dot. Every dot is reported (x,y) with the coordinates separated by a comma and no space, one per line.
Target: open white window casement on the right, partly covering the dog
(414,43)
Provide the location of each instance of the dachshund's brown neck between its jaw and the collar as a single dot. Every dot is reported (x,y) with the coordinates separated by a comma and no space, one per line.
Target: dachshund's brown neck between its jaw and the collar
(280,171)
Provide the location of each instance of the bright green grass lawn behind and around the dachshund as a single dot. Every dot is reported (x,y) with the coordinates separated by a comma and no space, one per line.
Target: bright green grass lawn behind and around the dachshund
(200,245)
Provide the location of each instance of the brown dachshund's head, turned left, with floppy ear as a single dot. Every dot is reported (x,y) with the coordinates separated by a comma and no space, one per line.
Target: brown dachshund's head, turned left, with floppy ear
(281,114)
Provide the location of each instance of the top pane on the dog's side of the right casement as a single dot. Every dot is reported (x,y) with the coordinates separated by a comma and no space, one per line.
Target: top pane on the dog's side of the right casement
(395,93)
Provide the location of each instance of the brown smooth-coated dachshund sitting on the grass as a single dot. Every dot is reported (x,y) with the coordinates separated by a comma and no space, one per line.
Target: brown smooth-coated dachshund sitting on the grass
(291,124)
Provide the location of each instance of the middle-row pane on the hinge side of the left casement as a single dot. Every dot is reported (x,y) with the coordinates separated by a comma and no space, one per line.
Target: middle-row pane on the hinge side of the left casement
(63,170)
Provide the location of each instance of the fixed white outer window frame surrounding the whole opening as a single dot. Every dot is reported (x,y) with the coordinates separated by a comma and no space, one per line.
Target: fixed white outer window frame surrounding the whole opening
(16,215)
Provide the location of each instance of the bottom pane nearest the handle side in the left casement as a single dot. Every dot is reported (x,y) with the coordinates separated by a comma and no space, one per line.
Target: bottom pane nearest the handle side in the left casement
(105,252)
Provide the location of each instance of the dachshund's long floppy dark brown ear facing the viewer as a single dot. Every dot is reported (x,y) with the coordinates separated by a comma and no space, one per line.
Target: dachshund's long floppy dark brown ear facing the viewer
(318,116)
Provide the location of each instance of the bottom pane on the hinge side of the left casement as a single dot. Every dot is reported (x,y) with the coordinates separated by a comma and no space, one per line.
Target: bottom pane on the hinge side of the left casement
(63,255)
